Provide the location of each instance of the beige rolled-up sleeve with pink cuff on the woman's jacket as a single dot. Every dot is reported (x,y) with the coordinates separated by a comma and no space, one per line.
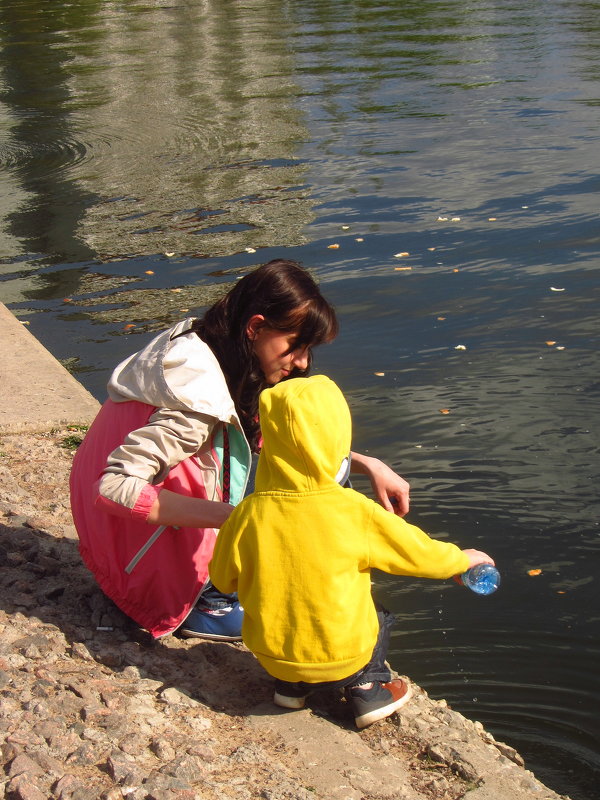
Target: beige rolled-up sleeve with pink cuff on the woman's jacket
(126,485)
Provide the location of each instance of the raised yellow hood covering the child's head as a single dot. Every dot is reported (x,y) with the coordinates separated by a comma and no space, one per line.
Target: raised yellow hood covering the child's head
(307,430)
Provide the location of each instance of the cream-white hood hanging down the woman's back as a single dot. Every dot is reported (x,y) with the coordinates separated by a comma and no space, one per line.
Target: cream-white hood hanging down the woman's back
(175,370)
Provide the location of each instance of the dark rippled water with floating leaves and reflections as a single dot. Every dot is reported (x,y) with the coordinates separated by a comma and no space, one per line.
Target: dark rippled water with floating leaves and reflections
(146,146)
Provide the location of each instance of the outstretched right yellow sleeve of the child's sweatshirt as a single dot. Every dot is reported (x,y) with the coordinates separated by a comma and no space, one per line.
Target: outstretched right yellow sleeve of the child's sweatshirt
(399,548)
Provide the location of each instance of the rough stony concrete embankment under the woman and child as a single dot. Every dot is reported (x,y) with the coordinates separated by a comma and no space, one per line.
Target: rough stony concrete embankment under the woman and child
(92,709)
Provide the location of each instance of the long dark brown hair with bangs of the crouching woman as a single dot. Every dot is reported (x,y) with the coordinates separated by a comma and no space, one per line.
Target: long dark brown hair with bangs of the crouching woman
(290,300)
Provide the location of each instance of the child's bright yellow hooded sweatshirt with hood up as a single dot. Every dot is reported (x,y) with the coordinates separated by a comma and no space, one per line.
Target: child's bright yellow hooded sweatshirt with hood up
(300,549)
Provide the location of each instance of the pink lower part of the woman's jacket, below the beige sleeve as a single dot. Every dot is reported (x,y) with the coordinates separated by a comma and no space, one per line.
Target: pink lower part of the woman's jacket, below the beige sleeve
(156,587)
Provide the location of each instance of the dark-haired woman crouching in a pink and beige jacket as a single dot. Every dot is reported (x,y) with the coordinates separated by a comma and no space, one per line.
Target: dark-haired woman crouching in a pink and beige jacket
(169,454)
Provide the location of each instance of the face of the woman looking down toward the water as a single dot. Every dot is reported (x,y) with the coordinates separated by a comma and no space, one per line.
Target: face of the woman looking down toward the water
(276,350)
